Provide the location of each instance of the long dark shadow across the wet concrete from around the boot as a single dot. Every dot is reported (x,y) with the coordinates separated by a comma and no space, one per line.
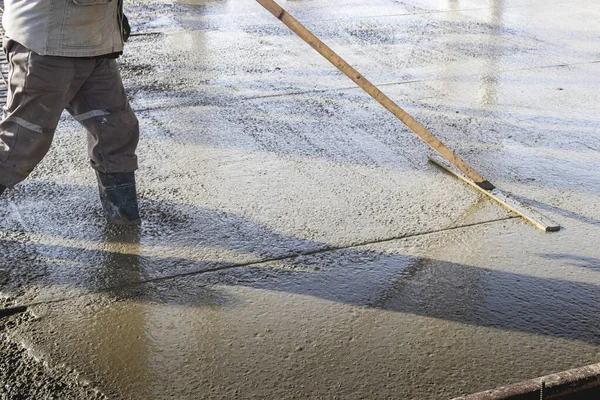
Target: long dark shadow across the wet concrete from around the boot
(125,265)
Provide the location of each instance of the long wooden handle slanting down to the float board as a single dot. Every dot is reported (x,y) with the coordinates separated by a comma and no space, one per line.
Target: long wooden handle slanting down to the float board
(374,92)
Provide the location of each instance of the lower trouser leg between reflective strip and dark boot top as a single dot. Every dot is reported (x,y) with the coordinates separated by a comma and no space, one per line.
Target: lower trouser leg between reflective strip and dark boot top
(112,141)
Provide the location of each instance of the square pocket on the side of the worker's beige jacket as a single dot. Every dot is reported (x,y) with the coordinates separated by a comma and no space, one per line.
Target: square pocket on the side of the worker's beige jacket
(84,24)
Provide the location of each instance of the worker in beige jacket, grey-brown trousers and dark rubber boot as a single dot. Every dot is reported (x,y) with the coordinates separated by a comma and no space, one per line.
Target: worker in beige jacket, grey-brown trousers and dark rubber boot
(61,55)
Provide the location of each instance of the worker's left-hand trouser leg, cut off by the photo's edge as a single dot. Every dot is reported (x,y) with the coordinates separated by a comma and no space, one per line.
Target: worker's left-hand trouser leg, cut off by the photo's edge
(39,89)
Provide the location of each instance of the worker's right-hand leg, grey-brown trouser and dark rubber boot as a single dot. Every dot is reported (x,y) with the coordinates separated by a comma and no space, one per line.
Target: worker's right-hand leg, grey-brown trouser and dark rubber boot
(113,133)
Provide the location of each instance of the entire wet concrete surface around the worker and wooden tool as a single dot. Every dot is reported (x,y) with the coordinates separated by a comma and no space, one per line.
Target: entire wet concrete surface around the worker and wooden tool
(296,243)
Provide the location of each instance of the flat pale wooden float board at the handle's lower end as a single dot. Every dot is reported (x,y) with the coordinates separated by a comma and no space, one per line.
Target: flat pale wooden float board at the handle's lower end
(511,204)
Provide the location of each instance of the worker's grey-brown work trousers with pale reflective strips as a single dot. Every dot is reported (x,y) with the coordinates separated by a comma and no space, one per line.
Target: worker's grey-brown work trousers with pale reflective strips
(40,88)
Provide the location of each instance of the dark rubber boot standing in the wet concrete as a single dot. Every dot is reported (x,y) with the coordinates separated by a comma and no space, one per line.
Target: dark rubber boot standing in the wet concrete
(118,197)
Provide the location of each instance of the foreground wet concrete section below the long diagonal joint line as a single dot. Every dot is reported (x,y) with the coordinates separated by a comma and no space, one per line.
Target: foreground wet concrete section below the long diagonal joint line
(429,317)
